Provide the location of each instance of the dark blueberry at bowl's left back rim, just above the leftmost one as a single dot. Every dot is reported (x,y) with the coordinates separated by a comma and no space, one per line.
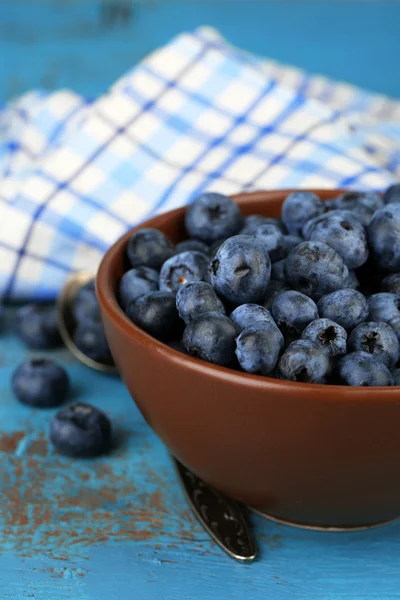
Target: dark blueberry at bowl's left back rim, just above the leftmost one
(149,248)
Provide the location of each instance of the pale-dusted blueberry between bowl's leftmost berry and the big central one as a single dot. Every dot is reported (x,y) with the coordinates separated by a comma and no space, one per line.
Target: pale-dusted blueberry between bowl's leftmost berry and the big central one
(182,268)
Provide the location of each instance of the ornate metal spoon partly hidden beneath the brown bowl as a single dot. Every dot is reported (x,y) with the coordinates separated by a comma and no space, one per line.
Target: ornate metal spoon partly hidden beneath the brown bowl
(220,516)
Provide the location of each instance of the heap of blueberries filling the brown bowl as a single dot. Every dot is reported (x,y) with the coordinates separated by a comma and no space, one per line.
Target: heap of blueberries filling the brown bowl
(312,296)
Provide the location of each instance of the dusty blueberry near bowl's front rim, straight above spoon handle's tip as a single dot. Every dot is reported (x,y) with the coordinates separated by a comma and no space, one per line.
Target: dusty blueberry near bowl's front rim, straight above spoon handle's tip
(258,348)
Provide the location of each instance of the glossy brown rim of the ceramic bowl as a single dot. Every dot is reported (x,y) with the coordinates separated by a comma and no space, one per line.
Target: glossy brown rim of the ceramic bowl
(108,301)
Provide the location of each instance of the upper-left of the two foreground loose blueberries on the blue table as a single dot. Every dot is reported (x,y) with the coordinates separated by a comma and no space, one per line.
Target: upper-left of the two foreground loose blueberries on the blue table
(41,383)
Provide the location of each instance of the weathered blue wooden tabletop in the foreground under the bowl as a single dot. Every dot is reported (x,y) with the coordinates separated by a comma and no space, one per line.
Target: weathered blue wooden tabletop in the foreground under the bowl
(118,527)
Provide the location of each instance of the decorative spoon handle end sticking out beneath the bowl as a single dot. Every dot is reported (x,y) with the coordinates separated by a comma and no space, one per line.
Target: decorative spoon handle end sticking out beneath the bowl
(222,517)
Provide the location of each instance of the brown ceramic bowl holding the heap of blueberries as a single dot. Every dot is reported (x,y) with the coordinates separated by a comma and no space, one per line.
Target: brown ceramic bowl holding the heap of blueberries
(310,454)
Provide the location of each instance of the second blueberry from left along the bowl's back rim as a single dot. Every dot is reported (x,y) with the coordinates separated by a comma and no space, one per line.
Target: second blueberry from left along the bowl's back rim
(213,216)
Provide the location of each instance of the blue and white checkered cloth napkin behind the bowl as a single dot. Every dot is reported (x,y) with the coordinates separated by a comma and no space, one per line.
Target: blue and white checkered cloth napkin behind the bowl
(196,115)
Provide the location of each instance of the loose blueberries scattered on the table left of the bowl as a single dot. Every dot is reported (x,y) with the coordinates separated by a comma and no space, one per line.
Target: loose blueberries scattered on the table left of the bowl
(78,430)
